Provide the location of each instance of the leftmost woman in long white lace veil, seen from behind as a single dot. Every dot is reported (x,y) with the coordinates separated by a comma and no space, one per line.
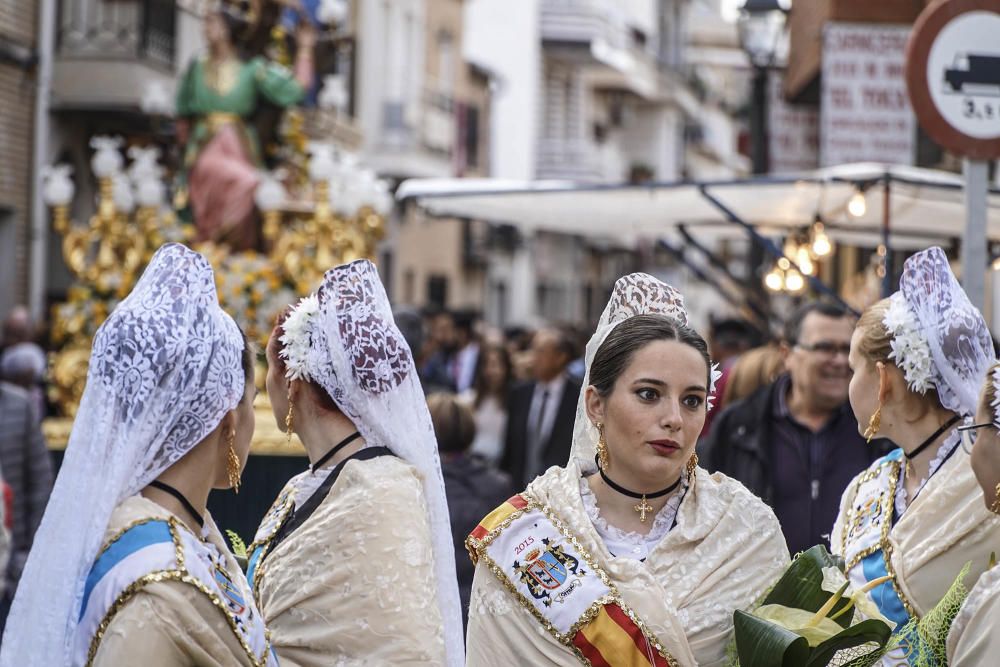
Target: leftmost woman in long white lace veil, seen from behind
(127,566)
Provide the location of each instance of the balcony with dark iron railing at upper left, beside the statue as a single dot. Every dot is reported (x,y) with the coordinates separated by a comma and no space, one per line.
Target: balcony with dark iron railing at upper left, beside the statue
(108,51)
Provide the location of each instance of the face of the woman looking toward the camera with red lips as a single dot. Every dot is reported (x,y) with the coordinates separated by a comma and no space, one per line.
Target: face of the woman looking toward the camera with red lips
(653,415)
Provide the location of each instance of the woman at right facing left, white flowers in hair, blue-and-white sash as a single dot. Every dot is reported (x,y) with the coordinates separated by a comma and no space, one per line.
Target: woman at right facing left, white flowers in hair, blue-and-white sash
(916,515)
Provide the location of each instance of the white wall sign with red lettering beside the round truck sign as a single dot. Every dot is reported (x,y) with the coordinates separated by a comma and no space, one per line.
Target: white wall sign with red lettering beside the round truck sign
(865,113)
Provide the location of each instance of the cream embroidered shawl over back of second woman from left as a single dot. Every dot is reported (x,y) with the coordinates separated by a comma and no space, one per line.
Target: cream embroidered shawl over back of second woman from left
(354,584)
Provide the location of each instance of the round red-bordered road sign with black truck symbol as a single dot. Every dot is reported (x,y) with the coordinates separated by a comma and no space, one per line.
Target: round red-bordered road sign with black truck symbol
(953,76)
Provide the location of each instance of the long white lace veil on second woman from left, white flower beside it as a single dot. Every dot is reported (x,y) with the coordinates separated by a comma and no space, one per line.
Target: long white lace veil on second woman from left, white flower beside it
(358,355)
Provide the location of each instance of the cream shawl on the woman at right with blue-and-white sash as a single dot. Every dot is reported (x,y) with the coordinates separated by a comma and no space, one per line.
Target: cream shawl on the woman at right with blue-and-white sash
(944,527)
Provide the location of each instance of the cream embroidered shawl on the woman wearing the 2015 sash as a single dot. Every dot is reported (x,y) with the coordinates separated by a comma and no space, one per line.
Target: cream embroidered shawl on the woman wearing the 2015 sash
(725,551)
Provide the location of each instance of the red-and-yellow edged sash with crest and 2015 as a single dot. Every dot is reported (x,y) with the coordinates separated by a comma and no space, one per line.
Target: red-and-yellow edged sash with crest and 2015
(536,557)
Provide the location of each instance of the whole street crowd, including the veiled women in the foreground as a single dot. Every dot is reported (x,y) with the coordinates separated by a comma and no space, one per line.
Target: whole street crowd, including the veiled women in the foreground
(494,498)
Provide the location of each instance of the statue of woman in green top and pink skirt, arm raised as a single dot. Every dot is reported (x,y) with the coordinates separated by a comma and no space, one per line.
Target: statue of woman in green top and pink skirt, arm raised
(216,101)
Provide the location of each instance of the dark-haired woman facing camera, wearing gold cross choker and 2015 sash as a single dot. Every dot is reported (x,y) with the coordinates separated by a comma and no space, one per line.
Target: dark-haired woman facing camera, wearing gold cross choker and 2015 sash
(631,554)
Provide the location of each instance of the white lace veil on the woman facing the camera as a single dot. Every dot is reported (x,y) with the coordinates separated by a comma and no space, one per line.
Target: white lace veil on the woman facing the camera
(634,294)
